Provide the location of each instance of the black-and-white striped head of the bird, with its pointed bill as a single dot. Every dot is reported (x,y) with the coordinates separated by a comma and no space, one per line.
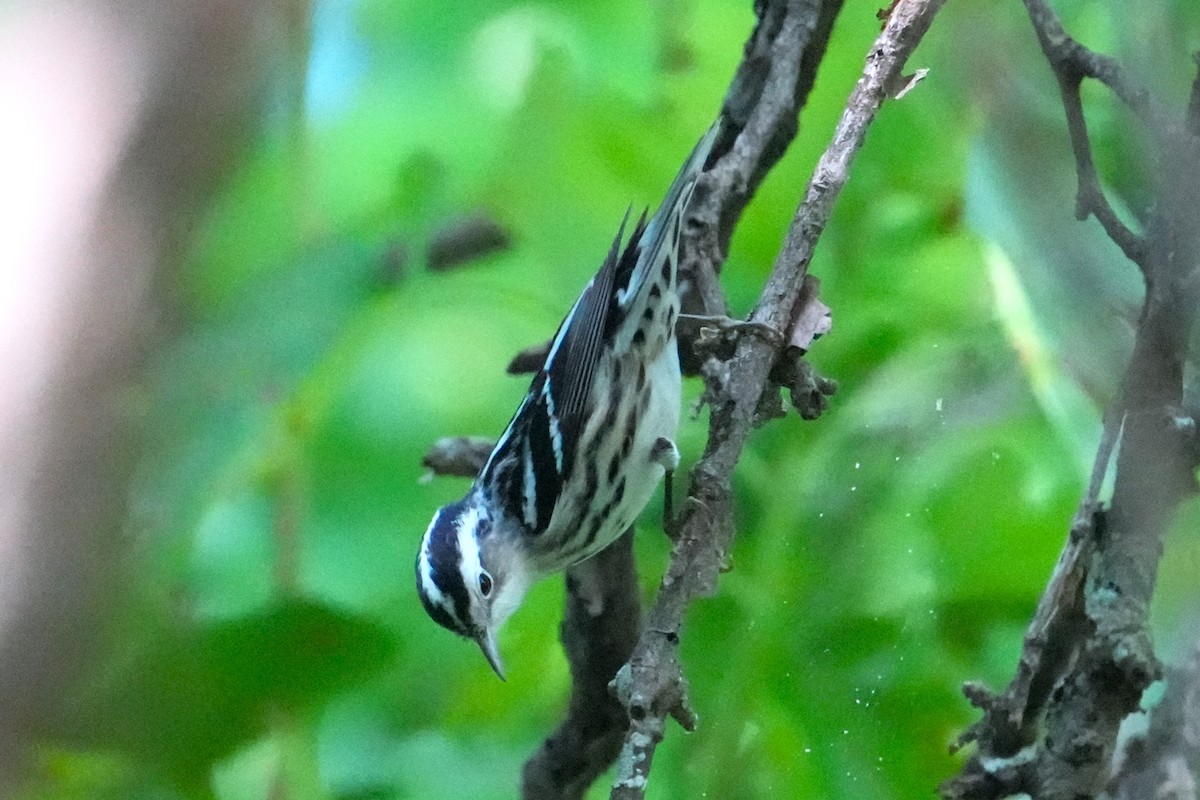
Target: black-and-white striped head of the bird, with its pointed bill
(470,575)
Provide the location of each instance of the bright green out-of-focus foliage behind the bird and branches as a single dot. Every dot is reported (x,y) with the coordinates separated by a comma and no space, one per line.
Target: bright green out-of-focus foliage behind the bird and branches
(272,645)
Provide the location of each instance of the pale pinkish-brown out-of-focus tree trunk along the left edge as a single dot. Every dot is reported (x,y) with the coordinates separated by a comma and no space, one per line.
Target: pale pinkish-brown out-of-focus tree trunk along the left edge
(119,117)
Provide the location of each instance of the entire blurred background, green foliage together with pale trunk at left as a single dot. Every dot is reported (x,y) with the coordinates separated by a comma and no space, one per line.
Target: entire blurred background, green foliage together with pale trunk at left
(230,332)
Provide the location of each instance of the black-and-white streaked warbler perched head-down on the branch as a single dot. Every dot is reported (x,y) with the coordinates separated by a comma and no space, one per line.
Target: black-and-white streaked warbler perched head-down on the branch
(586,448)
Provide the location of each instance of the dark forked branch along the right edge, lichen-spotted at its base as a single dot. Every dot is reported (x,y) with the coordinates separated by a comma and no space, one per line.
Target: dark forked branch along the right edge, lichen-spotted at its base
(1088,654)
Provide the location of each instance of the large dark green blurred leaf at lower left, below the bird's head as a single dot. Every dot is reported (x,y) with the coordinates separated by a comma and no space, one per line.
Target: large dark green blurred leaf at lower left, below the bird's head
(183,699)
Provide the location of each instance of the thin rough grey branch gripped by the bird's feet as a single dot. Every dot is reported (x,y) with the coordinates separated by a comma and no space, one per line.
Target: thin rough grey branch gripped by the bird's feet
(652,687)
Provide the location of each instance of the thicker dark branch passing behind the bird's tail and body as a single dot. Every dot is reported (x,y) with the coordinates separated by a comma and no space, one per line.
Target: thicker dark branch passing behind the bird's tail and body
(771,85)
